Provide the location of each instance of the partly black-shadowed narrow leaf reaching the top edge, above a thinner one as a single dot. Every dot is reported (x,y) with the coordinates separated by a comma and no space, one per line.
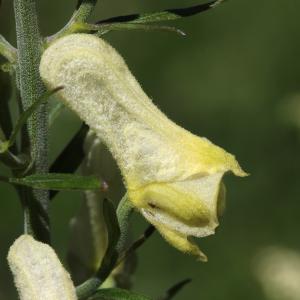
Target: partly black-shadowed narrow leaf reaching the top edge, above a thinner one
(166,15)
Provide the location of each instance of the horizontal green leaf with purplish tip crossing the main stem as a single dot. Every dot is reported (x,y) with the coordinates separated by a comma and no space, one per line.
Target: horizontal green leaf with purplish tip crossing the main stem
(55,181)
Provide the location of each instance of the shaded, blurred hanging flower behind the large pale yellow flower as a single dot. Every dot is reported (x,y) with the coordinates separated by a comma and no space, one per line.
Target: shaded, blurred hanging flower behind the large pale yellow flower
(88,229)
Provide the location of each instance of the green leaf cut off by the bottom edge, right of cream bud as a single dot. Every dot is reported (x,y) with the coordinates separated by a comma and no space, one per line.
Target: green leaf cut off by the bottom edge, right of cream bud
(117,294)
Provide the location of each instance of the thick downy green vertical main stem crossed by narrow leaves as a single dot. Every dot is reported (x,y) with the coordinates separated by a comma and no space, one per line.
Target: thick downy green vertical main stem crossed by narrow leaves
(31,88)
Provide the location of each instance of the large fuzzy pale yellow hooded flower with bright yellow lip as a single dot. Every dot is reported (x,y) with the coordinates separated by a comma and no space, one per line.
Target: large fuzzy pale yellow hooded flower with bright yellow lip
(172,176)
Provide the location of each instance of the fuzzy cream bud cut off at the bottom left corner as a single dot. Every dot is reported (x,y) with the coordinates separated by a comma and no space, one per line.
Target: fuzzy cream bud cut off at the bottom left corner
(37,271)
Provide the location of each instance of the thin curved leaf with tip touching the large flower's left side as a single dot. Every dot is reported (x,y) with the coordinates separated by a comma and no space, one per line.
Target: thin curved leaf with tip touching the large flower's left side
(28,112)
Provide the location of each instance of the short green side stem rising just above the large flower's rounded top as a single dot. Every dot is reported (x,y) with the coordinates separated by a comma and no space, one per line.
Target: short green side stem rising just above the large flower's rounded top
(81,15)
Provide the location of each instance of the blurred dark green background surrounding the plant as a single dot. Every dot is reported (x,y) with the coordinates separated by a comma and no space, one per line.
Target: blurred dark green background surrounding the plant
(234,79)
